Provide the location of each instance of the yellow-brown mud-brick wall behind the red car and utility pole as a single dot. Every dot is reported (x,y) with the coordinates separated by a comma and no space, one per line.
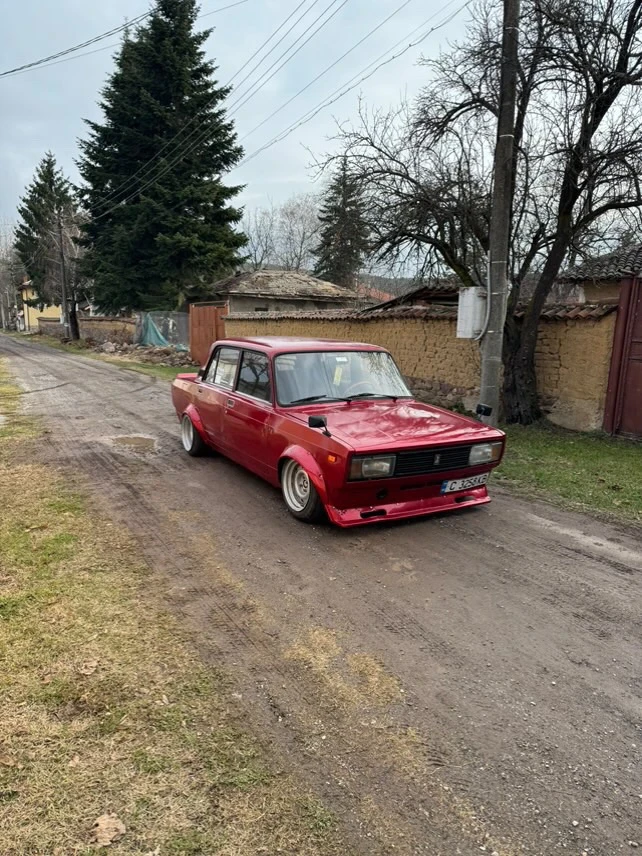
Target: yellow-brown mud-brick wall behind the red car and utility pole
(573,358)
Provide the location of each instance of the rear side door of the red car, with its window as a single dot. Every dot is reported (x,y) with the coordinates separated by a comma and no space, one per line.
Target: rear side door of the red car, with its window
(211,399)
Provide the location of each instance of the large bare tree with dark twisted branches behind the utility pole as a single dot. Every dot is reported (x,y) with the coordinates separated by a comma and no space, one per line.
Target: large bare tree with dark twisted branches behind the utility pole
(426,170)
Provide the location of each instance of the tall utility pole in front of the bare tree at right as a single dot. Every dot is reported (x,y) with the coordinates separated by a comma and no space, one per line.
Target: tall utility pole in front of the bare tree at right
(500,220)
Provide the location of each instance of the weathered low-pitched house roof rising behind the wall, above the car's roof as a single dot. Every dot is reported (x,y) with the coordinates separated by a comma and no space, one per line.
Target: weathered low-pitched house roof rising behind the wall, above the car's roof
(284,284)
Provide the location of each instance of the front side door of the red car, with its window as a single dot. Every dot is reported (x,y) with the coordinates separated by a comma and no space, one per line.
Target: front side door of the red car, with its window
(249,412)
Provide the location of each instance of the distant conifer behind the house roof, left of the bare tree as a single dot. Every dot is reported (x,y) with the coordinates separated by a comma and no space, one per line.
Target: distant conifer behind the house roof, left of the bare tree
(344,232)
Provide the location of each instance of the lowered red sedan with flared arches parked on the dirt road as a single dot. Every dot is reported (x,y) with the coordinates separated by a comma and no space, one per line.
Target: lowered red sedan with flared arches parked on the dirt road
(334,425)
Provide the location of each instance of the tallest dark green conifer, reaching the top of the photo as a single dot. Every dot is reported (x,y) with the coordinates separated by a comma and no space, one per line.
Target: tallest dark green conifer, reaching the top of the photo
(153,247)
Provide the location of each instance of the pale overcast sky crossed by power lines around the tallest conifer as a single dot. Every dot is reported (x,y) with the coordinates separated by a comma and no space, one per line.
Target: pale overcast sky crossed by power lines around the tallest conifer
(44,108)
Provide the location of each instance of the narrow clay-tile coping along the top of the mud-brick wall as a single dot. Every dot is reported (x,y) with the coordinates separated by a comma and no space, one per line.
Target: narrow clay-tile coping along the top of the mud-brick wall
(558,312)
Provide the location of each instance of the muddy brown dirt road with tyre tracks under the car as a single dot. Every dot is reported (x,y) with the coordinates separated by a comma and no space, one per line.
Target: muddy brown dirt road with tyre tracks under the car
(447,686)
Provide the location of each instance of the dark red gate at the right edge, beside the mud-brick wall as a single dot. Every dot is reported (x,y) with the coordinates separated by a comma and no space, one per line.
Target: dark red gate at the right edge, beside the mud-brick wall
(624,402)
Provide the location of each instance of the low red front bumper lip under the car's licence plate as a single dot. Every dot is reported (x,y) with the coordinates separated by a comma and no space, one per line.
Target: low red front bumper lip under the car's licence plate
(419,507)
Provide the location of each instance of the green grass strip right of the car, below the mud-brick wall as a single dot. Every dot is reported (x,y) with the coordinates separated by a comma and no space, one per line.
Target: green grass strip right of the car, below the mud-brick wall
(592,472)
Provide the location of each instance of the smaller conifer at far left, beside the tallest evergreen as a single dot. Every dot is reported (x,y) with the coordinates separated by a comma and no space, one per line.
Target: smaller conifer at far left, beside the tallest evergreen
(47,199)
